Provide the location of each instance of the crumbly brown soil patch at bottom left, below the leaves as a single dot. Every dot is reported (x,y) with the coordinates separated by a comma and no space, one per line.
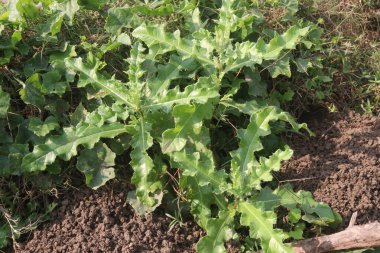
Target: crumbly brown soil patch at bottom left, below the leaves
(101,221)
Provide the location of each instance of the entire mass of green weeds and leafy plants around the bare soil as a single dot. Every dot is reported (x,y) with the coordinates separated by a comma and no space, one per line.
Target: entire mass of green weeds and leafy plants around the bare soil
(169,84)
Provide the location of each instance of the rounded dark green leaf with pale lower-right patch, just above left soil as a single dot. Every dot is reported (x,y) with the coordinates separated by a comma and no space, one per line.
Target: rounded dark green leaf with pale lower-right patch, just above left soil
(97,165)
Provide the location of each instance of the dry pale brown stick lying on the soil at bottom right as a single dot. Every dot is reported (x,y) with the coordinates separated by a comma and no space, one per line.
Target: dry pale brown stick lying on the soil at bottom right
(364,236)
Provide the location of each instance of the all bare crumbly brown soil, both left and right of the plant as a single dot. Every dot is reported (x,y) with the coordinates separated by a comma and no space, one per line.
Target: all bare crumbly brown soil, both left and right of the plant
(341,166)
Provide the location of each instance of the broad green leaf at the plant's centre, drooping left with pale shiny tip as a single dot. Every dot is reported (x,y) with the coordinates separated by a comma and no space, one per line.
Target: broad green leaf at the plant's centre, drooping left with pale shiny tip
(188,120)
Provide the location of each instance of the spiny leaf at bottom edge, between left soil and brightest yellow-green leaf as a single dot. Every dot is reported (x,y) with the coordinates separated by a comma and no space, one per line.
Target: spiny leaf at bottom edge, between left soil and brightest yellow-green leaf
(218,231)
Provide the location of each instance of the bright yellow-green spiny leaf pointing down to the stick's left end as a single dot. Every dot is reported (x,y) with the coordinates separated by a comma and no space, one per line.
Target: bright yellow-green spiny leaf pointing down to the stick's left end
(261,226)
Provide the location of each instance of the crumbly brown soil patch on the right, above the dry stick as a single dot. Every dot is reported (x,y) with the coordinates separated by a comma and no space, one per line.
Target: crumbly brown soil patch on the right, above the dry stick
(341,165)
